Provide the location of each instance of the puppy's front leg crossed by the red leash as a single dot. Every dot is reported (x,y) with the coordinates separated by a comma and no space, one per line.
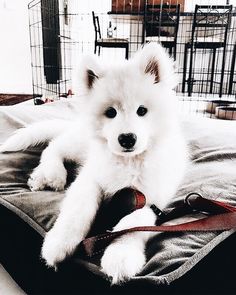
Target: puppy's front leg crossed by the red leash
(125,257)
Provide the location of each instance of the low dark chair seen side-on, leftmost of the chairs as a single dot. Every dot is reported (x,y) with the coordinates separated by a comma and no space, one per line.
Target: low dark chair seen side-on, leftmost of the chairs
(107,42)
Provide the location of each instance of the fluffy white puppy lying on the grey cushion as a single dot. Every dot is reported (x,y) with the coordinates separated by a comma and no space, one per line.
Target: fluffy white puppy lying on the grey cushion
(127,135)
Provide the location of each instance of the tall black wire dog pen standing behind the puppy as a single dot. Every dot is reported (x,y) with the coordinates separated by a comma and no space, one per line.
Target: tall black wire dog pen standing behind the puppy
(200,35)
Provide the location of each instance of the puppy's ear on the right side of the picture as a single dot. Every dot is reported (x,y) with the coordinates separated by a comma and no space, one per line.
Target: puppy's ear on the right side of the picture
(155,61)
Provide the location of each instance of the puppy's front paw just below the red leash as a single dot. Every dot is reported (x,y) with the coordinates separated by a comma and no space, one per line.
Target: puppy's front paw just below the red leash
(121,262)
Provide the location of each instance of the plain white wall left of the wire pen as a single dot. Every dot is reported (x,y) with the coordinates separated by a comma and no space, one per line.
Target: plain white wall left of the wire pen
(15,60)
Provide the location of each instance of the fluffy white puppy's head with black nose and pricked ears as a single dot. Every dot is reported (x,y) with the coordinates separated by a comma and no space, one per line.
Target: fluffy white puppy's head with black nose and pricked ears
(131,104)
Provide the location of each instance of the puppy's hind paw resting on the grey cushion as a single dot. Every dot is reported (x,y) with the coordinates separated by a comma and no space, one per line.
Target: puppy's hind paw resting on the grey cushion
(43,176)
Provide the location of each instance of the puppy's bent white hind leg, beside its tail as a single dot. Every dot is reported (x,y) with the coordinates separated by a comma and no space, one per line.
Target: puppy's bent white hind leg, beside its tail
(51,171)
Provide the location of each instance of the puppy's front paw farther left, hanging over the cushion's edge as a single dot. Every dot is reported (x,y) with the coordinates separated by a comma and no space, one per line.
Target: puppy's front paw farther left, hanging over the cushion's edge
(55,248)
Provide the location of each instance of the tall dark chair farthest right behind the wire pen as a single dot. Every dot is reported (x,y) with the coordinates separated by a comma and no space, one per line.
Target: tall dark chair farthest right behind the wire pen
(209,31)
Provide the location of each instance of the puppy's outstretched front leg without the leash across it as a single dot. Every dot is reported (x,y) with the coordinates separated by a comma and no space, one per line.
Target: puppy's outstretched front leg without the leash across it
(74,221)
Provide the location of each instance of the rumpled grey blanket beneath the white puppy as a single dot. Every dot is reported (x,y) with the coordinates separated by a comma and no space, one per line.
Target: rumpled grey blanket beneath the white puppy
(212,173)
